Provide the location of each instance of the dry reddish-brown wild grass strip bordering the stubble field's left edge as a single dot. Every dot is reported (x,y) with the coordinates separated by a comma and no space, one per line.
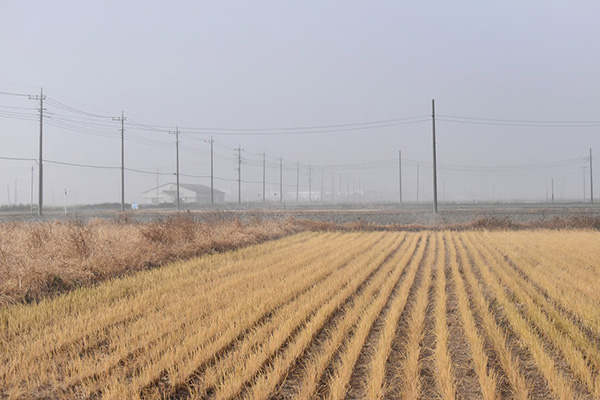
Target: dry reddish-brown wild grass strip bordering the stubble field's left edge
(45,258)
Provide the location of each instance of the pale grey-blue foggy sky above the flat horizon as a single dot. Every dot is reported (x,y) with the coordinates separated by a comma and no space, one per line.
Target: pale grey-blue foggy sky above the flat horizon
(273,64)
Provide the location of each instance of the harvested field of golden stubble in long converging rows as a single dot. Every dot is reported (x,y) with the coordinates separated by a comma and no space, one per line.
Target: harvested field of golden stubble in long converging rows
(333,315)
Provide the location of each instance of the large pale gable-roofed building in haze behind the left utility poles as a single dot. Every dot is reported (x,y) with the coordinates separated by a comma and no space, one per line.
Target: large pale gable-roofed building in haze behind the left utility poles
(188,194)
